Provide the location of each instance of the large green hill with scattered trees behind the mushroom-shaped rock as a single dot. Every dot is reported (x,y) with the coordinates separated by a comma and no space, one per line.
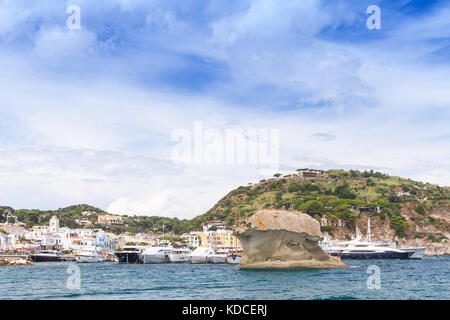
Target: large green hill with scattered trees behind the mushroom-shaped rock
(395,203)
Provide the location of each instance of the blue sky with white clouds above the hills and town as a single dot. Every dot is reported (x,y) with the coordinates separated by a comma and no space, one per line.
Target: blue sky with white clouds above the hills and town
(99,114)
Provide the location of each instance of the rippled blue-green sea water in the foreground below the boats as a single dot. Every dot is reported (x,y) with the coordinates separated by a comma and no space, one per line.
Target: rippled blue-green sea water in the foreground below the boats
(428,278)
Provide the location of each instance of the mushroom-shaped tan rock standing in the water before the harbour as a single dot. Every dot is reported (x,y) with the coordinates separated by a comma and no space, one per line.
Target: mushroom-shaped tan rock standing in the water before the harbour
(283,239)
